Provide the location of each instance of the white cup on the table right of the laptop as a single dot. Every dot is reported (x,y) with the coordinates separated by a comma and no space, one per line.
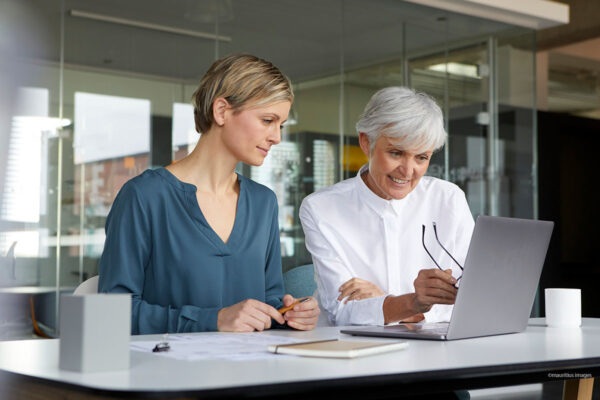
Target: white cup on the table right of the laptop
(563,307)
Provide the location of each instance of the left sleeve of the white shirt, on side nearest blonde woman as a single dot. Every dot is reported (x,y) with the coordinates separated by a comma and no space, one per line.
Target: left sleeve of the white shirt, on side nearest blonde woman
(331,272)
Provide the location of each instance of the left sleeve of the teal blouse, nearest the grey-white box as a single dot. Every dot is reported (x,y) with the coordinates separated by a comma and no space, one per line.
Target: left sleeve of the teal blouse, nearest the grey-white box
(122,267)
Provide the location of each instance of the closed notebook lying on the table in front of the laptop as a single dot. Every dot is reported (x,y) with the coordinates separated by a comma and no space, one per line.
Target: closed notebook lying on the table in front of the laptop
(334,348)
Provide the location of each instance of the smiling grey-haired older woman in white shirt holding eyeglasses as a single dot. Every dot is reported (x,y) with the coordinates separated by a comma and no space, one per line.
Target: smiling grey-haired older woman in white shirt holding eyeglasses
(369,236)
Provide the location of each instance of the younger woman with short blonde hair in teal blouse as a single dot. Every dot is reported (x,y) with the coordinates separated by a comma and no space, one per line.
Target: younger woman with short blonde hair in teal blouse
(196,244)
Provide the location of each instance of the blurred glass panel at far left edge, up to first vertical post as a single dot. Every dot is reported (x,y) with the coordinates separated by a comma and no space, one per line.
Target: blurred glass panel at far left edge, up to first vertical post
(30,131)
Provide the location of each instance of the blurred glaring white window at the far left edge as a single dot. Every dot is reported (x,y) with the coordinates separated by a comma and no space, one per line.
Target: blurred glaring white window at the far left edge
(24,199)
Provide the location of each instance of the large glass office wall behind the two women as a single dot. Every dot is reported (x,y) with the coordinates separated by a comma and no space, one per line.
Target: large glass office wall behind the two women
(104,93)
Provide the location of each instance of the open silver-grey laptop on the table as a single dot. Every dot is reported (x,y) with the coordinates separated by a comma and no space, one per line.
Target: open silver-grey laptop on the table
(497,288)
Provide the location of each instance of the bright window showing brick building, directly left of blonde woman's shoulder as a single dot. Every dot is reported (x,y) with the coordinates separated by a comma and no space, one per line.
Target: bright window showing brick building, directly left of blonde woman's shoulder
(111,145)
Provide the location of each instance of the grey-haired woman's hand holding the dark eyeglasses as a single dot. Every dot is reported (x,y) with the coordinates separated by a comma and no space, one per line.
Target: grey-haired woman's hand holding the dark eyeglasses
(433,286)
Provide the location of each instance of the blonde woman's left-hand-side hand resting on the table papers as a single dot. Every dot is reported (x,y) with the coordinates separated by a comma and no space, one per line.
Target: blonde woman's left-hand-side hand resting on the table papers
(247,316)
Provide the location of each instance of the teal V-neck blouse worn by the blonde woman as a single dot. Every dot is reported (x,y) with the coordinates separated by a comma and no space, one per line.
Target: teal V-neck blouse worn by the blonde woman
(160,248)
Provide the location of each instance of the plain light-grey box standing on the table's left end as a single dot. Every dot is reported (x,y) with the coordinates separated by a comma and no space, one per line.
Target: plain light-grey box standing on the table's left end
(94,332)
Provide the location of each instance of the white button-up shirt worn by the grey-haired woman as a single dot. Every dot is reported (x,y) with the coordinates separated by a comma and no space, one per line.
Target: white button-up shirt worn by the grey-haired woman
(353,233)
